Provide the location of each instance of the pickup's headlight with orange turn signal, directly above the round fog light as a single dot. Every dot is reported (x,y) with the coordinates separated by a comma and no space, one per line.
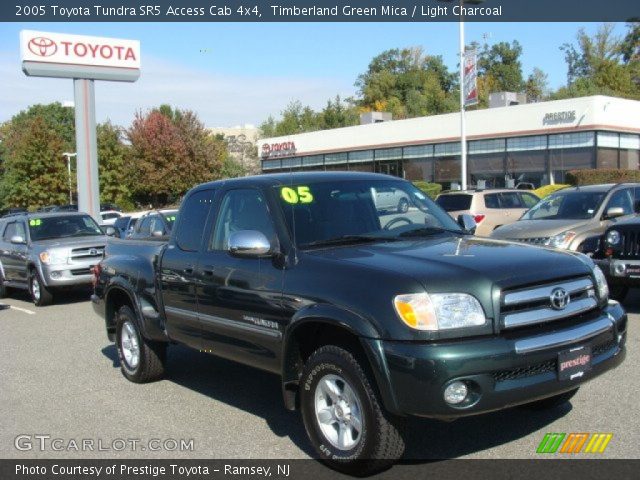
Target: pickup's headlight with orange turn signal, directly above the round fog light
(439,311)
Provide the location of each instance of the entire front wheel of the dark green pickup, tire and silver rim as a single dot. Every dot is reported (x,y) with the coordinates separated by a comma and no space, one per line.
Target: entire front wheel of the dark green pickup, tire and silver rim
(345,422)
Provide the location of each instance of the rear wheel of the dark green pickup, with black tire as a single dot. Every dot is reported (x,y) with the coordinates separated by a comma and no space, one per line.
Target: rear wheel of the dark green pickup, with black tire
(149,366)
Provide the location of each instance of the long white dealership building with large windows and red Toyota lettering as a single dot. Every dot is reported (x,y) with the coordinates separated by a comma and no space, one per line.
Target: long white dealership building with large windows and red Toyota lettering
(533,143)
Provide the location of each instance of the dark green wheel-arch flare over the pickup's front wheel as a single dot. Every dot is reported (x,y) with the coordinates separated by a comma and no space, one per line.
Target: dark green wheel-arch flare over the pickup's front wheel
(358,326)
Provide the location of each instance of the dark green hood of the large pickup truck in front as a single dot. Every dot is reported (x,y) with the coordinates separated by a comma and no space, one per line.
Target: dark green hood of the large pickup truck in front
(456,264)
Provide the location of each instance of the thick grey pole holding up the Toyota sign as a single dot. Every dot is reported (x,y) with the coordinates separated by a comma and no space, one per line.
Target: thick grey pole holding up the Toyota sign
(86,147)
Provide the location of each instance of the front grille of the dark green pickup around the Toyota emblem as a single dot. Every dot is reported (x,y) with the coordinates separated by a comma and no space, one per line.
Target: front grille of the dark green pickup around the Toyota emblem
(532,305)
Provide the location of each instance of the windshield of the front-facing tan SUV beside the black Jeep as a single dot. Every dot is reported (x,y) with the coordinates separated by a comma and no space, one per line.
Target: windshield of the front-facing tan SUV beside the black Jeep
(572,205)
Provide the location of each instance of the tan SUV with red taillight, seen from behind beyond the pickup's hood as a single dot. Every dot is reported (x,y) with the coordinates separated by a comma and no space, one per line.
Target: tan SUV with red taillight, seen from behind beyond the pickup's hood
(489,208)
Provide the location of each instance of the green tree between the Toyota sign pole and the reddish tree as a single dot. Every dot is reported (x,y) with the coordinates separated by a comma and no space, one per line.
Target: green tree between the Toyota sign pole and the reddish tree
(112,165)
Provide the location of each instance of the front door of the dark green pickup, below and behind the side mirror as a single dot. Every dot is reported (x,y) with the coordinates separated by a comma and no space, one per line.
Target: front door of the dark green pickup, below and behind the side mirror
(239,299)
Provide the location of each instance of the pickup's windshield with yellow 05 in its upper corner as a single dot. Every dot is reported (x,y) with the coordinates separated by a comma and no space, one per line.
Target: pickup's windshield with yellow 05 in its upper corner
(328,212)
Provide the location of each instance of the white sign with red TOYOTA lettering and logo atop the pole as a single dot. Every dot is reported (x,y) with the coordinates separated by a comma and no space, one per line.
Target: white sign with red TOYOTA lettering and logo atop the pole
(77,56)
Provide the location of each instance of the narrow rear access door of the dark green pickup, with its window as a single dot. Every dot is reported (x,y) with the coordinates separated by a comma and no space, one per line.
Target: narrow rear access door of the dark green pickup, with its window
(178,270)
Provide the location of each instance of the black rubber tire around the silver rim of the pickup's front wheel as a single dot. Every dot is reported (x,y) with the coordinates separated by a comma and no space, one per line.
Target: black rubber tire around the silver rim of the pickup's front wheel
(379,443)
